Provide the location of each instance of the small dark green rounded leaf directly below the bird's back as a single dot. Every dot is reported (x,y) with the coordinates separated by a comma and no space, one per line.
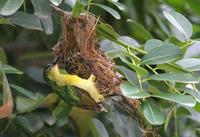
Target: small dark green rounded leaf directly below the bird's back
(62,111)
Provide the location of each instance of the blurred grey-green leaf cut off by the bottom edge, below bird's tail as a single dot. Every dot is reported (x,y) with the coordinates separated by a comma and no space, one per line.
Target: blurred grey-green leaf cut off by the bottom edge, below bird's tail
(100,127)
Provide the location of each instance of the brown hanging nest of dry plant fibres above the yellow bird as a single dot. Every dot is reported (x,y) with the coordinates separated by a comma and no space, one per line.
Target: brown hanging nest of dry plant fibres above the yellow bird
(80,52)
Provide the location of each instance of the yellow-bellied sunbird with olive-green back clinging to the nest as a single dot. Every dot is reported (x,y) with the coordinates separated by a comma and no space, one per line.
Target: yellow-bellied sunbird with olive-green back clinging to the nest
(76,91)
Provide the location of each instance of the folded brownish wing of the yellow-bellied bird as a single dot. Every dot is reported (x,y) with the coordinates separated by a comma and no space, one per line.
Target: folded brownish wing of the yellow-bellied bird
(84,96)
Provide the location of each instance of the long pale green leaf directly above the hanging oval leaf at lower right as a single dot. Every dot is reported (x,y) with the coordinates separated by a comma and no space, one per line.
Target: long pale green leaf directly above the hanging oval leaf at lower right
(181,99)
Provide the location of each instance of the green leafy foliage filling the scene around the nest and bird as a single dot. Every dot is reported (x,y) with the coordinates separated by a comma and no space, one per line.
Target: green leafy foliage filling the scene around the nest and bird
(158,61)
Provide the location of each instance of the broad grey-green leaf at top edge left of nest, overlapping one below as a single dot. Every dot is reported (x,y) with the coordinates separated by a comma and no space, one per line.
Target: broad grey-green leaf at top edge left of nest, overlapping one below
(42,8)
